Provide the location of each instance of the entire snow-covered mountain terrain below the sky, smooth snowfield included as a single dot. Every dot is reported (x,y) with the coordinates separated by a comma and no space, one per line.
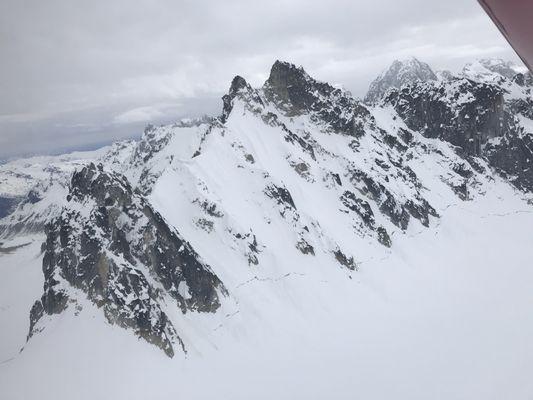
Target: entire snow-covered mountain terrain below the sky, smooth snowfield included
(301,220)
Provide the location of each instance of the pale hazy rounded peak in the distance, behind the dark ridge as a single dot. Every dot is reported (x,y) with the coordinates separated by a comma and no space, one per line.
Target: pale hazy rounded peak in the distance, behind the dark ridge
(400,73)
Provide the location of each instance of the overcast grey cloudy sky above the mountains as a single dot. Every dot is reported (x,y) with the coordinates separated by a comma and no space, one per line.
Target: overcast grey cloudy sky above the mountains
(78,74)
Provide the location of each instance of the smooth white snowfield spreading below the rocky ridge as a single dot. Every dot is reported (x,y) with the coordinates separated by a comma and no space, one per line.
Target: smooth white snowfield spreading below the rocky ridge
(445,315)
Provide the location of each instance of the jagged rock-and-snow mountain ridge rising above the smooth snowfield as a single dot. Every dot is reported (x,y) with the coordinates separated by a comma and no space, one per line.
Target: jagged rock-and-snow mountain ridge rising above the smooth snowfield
(296,170)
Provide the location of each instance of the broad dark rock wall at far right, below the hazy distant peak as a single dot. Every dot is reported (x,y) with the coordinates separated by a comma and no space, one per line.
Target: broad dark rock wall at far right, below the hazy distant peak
(474,117)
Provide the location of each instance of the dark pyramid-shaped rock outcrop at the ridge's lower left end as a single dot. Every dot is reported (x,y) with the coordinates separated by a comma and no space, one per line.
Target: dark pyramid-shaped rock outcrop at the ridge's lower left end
(109,243)
